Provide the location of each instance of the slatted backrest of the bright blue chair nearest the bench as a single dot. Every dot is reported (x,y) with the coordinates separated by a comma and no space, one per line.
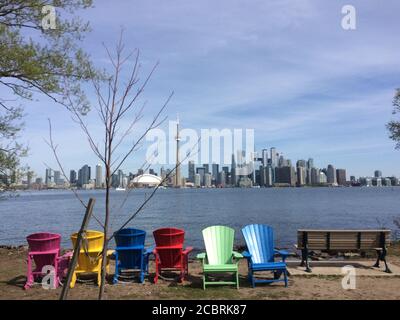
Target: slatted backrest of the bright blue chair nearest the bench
(260,242)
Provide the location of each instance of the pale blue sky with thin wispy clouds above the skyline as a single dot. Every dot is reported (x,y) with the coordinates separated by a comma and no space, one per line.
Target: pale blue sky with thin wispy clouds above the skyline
(286,69)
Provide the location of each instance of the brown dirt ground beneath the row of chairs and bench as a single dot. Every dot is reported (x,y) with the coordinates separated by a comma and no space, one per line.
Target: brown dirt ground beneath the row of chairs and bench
(13,270)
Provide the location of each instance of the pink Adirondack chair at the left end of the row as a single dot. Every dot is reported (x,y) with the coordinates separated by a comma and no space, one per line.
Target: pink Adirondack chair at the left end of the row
(44,250)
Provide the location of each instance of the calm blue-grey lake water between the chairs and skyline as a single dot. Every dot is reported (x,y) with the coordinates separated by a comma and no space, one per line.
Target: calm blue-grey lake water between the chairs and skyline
(286,209)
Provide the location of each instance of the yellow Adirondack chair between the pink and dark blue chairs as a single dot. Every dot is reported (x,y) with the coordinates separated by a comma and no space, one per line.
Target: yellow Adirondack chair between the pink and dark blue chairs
(90,258)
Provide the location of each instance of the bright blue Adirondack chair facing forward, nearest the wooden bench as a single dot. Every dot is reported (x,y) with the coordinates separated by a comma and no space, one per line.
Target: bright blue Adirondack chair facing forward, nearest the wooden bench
(260,254)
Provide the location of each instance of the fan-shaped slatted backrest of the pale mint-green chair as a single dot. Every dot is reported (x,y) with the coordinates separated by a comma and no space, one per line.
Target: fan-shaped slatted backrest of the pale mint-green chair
(219,244)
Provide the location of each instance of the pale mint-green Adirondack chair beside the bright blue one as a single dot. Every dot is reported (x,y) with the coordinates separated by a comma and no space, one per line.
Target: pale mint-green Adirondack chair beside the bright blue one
(219,256)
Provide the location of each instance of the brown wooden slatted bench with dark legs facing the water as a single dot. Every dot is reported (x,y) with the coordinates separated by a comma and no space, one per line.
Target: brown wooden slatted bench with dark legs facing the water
(343,240)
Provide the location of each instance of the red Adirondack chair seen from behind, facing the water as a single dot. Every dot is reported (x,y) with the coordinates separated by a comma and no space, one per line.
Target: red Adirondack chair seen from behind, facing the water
(169,252)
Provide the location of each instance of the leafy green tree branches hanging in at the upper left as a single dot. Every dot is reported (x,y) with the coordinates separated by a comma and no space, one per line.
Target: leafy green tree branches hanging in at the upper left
(37,60)
